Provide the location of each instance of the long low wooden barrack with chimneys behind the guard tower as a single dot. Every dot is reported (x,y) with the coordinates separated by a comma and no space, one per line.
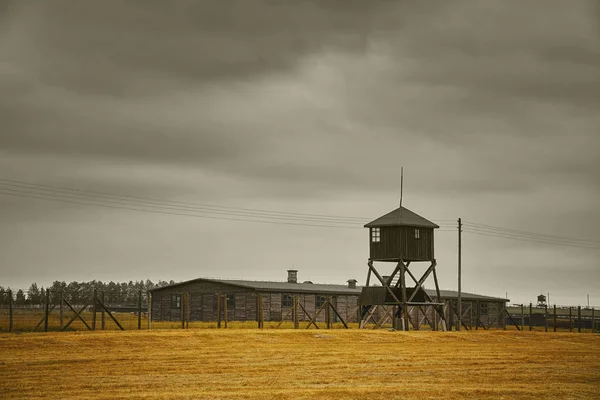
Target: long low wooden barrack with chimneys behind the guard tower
(277,297)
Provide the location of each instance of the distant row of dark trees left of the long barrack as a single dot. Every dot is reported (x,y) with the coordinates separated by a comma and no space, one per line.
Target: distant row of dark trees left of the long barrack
(82,292)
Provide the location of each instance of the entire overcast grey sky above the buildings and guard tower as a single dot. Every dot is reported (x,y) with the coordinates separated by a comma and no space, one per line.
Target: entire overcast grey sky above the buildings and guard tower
(311,107)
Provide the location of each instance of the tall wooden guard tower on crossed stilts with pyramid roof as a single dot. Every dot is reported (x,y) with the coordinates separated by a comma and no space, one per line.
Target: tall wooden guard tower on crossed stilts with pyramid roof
(401,237)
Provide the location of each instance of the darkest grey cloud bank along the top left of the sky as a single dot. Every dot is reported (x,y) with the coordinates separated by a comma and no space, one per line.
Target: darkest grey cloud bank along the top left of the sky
(116,47)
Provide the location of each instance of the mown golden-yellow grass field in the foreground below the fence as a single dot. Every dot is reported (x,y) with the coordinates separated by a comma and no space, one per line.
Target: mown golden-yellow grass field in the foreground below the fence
(298,364)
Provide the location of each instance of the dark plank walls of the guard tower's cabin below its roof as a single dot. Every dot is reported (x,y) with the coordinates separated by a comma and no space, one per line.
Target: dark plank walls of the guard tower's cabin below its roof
(400,242)
